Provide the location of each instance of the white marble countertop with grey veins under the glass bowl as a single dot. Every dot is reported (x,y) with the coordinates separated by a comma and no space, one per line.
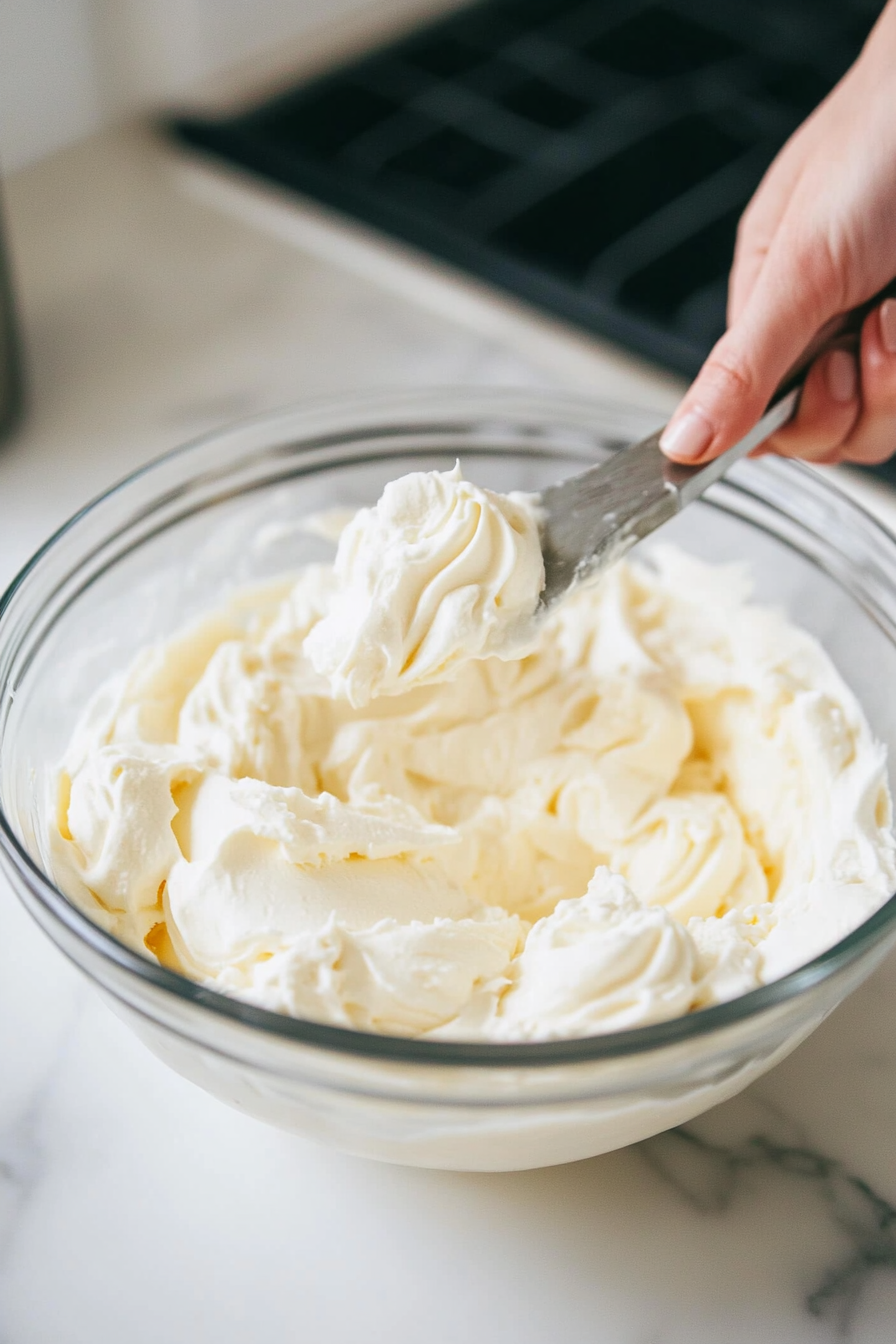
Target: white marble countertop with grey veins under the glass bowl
(136,1209)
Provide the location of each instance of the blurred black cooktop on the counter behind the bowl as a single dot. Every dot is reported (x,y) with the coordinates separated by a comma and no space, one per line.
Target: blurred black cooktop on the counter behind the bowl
(592,157)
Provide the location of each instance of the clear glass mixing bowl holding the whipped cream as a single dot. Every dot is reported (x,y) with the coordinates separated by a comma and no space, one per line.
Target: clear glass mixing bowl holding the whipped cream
(167,545)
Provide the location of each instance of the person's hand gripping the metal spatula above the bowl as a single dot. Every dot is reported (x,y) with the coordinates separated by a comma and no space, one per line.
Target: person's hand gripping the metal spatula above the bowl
(817,239)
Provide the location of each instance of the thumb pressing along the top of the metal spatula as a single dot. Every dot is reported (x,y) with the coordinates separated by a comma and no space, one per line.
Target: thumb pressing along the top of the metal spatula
(787,308)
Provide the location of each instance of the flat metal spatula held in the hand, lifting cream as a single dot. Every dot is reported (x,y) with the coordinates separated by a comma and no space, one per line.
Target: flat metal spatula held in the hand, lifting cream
(590,521)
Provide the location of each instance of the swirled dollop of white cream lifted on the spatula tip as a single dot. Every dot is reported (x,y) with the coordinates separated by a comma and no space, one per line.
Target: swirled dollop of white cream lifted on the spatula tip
(437,573)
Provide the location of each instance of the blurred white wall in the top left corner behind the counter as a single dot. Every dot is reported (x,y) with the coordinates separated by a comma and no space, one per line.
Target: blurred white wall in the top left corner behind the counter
(71,67)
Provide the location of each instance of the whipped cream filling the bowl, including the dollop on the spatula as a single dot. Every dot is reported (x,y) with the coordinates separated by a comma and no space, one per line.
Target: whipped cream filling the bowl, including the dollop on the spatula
(388,795)
